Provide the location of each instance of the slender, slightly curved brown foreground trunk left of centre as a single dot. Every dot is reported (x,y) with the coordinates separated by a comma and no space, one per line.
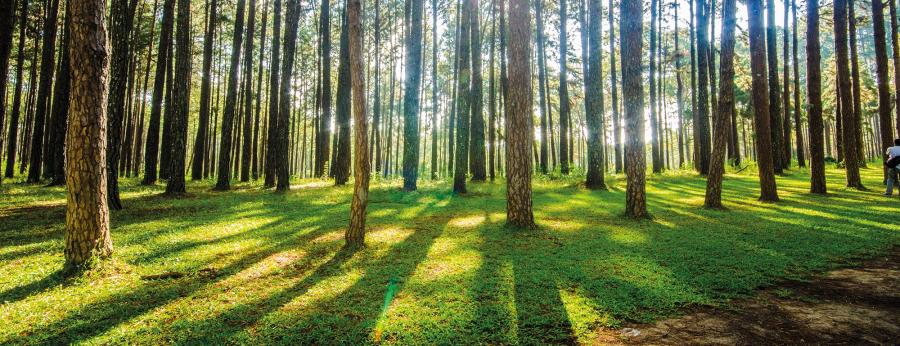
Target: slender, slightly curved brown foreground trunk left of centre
(355,235)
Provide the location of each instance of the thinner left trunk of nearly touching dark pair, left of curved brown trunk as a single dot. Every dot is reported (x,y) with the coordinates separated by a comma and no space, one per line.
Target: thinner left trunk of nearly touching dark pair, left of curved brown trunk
(272,126)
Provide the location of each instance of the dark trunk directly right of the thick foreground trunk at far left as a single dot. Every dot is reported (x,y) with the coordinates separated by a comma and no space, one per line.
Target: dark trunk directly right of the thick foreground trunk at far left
(120,27)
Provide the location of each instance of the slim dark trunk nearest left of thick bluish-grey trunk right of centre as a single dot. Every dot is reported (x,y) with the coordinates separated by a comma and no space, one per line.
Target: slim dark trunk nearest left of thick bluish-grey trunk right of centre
(563,92)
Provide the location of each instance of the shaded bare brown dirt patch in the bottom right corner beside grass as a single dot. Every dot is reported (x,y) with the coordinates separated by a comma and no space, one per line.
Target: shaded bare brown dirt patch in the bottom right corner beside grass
(846,307)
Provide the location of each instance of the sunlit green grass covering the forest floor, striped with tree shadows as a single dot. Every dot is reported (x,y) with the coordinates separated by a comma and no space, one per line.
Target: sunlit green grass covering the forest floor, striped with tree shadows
(261,267)
